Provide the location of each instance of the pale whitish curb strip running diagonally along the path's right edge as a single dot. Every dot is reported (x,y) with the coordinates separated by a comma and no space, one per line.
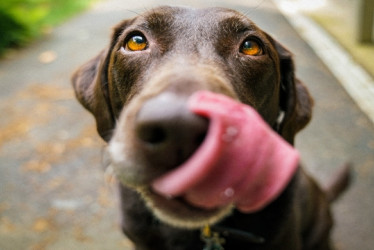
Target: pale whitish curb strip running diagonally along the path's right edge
(354,79)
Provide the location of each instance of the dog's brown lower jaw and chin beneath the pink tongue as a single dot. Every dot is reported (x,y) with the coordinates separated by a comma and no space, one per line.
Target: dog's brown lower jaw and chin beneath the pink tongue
(178,213)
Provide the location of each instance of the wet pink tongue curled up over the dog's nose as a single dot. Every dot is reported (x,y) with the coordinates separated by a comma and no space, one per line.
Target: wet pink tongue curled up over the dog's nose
(241,161)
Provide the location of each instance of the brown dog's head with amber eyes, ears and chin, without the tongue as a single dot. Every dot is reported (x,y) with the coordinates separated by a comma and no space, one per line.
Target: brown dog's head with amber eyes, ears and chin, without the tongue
(155,62)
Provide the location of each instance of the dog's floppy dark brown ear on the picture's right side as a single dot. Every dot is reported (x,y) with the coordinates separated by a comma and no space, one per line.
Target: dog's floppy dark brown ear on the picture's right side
(295,100)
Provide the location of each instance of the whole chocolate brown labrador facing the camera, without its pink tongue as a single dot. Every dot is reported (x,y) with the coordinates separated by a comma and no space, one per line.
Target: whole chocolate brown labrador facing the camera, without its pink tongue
(137,90)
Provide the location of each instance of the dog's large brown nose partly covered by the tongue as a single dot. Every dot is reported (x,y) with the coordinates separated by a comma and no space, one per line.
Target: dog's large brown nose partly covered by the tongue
(168,132)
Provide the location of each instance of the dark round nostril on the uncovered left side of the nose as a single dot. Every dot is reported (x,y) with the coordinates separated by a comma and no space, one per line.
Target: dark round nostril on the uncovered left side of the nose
(151,134)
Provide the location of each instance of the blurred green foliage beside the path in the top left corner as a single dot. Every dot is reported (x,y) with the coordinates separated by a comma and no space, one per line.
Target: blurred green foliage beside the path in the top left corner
(24,20)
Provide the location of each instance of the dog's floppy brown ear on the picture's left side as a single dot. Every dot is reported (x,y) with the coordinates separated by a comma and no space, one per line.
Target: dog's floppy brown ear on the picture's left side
(90,83)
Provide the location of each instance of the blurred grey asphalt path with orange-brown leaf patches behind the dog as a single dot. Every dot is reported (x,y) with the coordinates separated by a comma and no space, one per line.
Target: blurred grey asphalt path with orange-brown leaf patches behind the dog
(52,190)
